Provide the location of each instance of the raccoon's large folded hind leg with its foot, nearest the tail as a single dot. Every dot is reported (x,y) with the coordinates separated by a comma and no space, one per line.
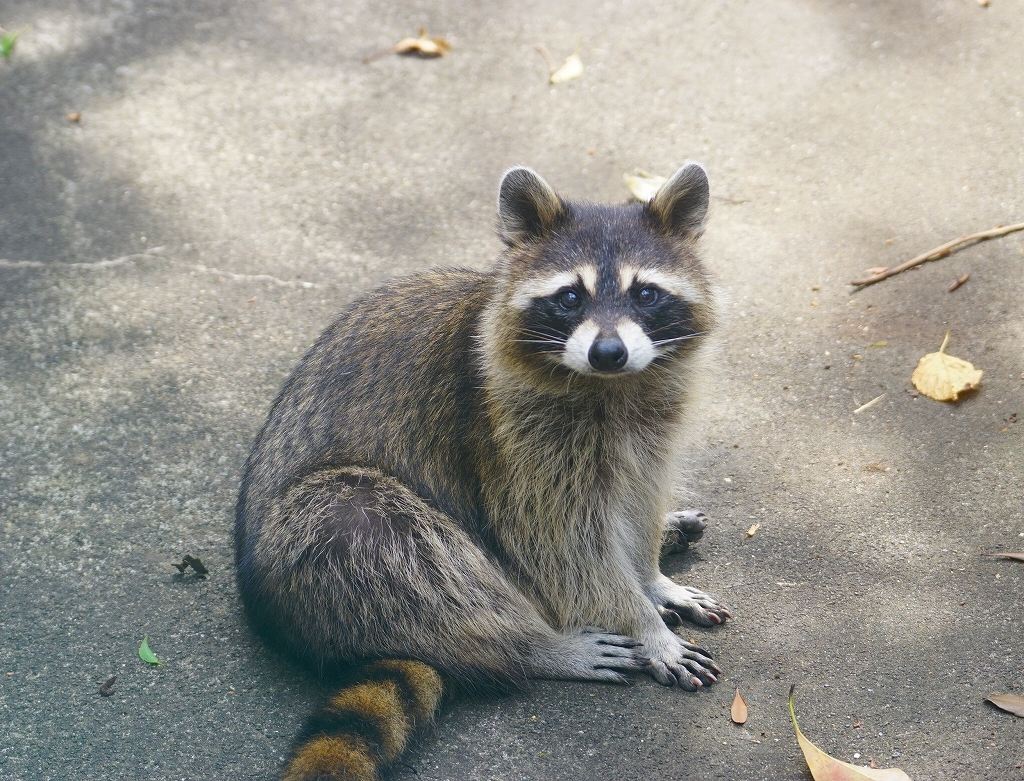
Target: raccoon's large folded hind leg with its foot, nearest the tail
(353,565)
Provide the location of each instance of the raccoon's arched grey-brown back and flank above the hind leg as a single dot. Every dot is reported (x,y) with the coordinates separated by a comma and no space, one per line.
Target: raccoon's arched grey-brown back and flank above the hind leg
(394,384)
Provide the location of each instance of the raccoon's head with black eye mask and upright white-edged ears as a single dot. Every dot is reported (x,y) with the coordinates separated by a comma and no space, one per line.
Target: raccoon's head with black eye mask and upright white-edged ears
(602,291)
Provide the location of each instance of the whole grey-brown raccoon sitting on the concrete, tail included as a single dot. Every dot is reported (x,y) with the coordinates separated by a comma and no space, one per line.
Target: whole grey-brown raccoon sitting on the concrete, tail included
(466,483)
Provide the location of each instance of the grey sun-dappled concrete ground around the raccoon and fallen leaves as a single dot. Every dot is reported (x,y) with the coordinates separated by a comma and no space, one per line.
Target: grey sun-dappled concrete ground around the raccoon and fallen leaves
(239,175)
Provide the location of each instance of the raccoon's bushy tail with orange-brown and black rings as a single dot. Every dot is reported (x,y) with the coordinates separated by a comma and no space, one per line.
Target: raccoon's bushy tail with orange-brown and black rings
(368,724)
